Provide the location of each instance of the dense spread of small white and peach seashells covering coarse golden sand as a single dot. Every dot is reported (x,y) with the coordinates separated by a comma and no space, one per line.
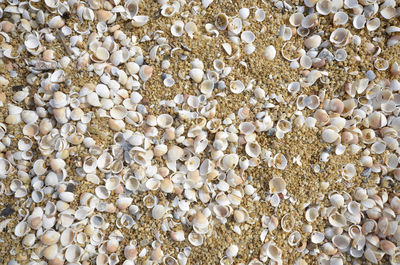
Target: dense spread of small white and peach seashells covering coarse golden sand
(201,164)
